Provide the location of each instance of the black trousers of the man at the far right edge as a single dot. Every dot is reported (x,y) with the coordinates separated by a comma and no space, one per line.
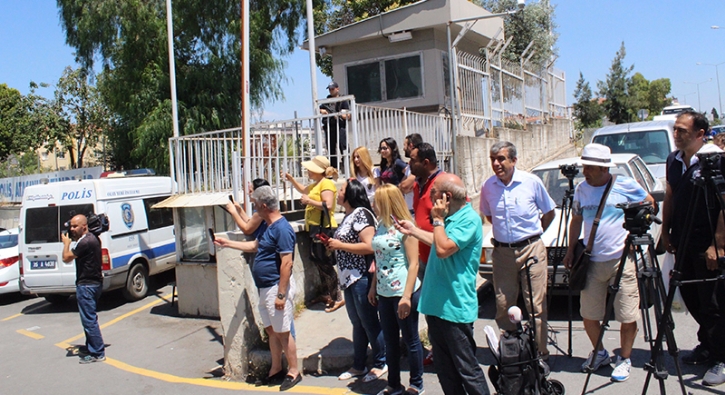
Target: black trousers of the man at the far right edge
(706,303)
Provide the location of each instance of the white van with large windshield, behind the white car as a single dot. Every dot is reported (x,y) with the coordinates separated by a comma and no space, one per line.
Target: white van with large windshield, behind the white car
(652,141)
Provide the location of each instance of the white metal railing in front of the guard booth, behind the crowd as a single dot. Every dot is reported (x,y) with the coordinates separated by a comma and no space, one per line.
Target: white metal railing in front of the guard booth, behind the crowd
(213,161)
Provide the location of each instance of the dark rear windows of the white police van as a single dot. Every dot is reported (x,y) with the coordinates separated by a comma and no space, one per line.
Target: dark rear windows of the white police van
(45,224)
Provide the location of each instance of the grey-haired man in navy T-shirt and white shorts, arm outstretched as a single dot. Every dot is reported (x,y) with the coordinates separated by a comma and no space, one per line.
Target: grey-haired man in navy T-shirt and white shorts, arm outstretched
(272,273)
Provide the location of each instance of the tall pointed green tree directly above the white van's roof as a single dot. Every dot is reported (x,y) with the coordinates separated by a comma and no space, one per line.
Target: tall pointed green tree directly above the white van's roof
(617,105)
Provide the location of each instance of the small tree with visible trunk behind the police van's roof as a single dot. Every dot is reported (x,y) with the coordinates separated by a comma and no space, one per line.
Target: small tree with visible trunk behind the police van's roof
(84,115)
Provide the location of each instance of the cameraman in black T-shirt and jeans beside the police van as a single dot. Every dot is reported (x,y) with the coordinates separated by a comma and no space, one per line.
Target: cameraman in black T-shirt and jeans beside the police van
(89,284)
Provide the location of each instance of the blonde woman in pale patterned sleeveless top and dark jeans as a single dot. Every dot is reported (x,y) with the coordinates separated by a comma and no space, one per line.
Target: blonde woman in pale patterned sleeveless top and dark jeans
(396,289)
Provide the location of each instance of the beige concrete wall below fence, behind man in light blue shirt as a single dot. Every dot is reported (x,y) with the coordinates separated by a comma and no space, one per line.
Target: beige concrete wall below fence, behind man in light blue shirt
(537,144)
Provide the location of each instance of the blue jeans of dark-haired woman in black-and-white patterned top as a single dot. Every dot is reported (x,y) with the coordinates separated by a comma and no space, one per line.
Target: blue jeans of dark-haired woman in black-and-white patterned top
(365,325)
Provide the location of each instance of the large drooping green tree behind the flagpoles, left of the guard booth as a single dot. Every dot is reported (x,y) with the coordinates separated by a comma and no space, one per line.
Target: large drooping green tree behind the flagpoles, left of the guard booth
(129,37)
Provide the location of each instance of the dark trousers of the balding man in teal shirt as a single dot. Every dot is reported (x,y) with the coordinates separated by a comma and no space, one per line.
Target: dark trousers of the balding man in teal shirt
(454,351)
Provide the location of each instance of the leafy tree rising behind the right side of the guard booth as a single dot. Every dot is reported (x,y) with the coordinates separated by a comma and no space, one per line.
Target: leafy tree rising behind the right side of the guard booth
(535,23)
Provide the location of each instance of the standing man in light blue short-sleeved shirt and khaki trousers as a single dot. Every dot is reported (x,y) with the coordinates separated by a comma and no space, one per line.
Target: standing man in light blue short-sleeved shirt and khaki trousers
(511,200)
